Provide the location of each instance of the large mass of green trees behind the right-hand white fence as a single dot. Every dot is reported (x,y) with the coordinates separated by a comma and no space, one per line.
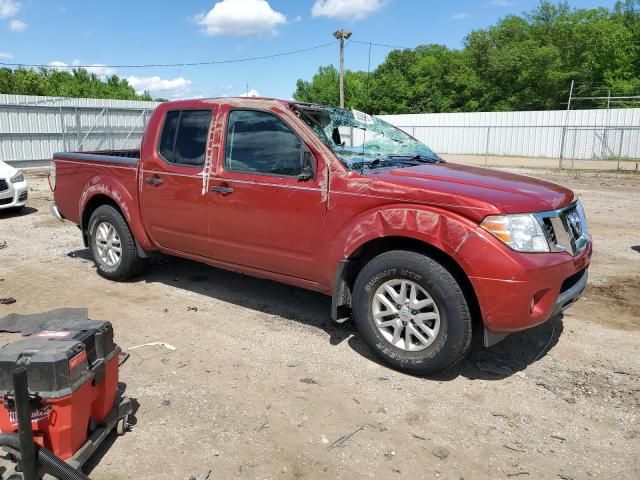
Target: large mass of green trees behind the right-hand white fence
(523,62)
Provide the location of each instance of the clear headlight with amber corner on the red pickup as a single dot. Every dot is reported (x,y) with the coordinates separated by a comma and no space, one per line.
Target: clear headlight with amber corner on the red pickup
(521,232)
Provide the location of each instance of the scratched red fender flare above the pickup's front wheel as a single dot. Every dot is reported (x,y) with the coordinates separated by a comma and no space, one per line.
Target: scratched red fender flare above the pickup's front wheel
(441,229)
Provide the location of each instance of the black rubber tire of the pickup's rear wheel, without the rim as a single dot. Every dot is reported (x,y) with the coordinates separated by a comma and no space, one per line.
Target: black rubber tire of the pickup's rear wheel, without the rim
(130,263)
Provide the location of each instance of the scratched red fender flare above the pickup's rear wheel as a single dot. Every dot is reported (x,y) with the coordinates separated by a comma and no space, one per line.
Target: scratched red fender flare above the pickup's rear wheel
(113,188)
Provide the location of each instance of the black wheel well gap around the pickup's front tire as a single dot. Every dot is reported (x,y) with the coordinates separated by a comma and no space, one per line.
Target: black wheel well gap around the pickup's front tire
(349,268)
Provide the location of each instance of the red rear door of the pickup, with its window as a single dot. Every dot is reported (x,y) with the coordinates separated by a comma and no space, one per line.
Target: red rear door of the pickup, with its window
(175,210)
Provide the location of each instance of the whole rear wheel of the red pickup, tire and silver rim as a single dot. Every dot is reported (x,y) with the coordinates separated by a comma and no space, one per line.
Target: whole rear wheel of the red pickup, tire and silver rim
(112,245)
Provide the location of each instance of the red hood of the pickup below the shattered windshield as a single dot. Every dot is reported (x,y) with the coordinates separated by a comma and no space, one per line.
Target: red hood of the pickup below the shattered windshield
(474,188)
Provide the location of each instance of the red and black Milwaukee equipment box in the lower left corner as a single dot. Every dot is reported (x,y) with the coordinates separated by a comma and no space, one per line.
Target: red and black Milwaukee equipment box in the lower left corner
(72,372)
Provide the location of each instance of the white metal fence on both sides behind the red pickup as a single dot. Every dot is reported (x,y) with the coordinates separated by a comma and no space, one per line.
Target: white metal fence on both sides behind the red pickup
(33,128)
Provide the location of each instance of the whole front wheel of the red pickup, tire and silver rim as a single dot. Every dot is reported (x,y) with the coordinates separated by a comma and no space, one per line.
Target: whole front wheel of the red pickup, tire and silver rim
(412,312)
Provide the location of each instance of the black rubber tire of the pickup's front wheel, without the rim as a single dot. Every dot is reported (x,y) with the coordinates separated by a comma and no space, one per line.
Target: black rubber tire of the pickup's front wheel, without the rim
(453,339)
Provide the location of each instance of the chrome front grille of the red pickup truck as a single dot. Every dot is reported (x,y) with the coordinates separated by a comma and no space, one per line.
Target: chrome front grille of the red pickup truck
(565,229)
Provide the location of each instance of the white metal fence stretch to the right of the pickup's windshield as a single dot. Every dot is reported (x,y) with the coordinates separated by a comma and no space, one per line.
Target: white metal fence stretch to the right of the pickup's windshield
(579,134)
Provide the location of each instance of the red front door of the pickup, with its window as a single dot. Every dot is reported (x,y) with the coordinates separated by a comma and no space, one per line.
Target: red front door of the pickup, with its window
(270,222)
